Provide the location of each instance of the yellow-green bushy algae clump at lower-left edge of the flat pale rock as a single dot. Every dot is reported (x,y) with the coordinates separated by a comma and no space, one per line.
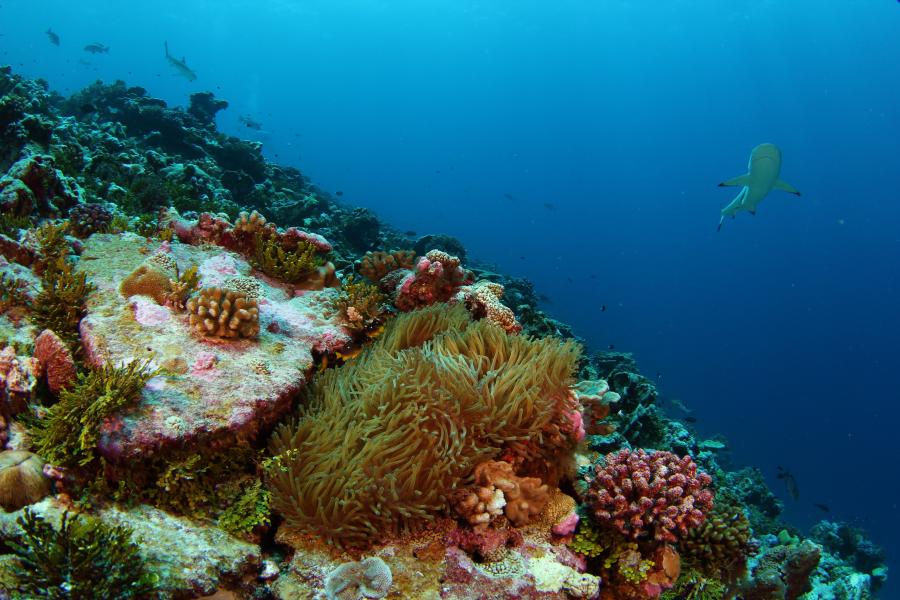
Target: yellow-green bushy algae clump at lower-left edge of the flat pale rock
(67,435)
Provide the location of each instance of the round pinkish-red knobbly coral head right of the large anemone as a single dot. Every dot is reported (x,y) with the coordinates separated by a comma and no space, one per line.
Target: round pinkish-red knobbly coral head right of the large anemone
(650,495)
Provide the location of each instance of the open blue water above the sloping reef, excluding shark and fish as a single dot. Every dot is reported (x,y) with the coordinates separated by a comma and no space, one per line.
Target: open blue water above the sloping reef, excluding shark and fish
(781,330)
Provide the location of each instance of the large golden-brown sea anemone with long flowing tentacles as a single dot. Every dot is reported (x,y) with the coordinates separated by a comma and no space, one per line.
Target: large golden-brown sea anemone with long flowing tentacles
(385,438)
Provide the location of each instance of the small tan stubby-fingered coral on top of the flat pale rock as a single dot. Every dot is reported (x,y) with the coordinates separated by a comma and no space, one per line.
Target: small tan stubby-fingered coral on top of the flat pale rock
(224,313)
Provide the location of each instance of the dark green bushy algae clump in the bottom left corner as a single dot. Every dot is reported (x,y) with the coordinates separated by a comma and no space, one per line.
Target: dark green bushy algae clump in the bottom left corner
(83,558)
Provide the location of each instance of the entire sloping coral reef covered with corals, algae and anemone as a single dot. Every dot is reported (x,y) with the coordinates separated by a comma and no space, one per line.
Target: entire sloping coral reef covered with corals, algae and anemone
(216,378)
